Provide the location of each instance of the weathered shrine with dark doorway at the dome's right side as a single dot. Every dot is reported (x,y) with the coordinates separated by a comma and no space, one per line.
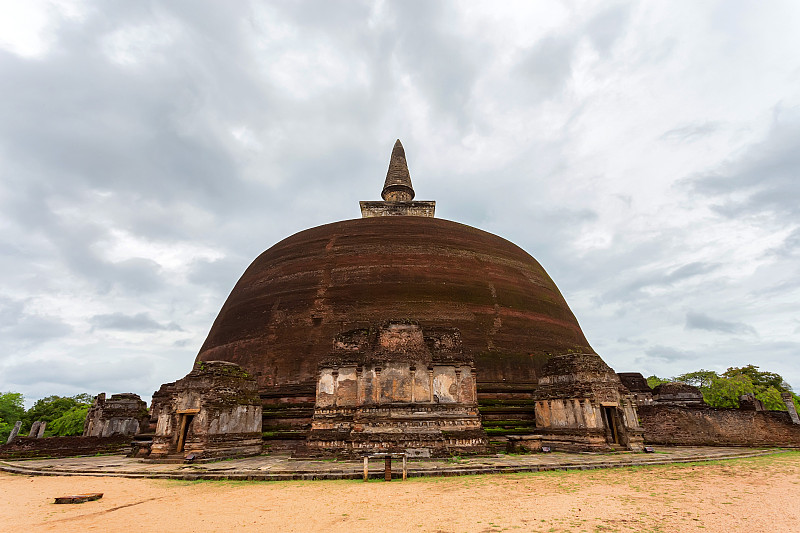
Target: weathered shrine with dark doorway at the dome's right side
(581,405)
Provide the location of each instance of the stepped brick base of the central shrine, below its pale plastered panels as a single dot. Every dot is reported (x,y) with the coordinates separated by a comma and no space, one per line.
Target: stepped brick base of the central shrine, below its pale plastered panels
(433,430)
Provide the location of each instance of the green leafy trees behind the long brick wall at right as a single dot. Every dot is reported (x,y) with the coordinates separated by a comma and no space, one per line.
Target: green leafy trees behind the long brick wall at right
(723,390)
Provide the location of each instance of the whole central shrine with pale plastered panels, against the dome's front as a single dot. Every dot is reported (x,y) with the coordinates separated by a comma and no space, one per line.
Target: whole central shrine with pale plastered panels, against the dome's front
(397,388)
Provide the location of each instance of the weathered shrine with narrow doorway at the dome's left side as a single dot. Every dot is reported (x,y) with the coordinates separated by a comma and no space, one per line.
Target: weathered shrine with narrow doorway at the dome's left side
(214,412)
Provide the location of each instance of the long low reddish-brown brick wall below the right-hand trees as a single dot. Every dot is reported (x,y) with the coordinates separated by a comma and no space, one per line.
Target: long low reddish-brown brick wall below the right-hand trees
(698,426)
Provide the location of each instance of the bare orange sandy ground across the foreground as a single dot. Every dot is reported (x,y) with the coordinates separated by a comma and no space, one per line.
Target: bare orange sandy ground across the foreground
(747,495)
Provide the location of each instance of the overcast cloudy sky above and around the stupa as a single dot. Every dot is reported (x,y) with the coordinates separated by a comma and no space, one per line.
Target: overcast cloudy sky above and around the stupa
(646,154)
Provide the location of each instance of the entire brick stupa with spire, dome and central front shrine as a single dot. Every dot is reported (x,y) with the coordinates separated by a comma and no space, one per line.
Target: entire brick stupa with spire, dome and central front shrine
(290,318)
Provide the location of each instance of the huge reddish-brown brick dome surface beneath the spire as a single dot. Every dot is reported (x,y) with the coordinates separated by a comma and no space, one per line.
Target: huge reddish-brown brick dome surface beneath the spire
(283,314)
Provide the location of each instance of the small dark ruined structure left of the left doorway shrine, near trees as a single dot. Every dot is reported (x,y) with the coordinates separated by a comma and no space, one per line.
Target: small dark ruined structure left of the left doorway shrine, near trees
(122,414)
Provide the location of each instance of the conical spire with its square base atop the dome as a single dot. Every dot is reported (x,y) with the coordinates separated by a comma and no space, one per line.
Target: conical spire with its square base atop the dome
(398,194)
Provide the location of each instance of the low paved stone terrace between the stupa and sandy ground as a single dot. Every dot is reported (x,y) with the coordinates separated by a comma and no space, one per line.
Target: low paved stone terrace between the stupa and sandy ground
(277,468)
